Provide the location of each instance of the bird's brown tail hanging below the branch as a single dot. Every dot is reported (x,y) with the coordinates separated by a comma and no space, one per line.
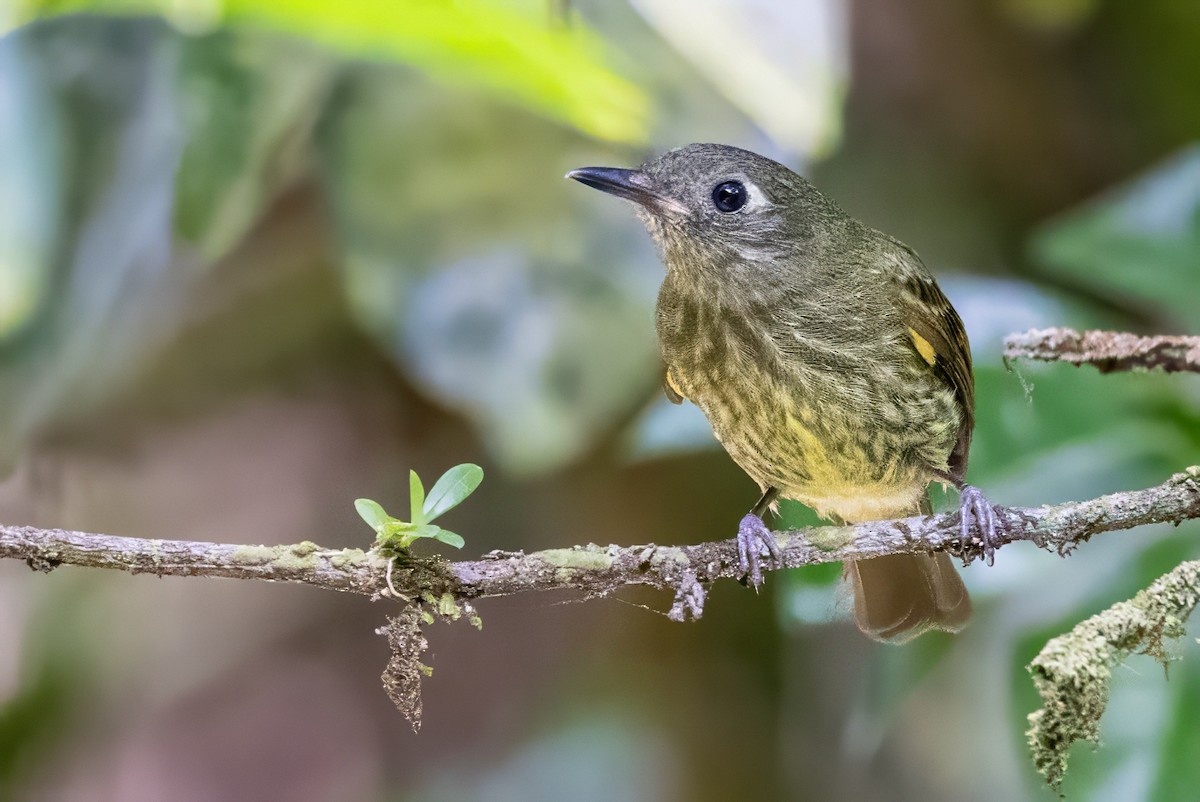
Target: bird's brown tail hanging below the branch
(902,596)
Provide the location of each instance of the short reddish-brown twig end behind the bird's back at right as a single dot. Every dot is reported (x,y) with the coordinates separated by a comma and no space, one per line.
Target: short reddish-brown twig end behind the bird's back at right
(1108,351)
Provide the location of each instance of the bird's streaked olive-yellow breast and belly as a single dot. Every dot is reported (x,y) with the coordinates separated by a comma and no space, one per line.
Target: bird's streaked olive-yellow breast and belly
(818,432)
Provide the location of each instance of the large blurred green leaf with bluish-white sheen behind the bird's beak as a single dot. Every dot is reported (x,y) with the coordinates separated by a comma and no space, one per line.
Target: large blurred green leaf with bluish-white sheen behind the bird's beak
(529,313)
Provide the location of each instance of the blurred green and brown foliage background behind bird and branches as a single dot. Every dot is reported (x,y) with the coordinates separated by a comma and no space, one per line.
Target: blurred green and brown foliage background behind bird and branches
(261,259)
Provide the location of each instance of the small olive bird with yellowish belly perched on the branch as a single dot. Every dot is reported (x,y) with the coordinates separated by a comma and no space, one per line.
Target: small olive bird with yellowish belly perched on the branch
(826,358)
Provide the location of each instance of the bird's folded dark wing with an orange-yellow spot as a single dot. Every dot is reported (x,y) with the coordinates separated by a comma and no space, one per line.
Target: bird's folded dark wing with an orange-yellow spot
(939,338)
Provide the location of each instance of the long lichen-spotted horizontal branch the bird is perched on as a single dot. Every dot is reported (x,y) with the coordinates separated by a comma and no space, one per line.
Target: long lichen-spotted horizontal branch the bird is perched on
(593,570)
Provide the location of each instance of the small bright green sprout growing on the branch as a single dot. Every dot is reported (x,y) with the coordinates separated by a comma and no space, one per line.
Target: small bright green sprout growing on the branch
(448,493)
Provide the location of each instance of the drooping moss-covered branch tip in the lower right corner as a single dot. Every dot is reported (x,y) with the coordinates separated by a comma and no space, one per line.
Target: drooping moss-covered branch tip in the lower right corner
(1072,673)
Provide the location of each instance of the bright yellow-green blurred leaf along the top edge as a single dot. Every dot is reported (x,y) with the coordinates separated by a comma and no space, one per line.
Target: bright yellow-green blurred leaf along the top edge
(512,52)
